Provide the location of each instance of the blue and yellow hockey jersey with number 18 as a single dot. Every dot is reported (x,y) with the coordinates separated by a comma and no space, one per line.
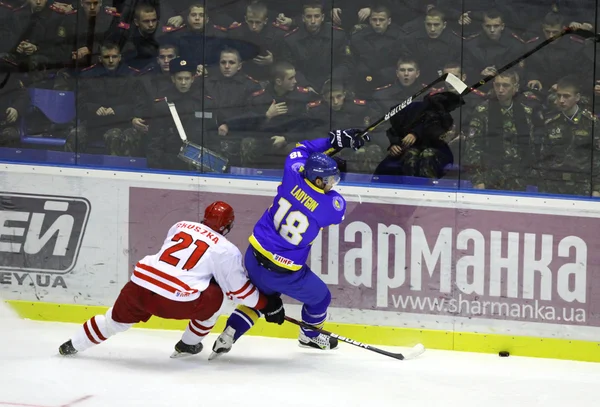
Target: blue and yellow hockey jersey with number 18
(285,232)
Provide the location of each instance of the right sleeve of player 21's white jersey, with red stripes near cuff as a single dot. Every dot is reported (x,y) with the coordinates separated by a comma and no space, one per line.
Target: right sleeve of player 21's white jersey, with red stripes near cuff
(234,281)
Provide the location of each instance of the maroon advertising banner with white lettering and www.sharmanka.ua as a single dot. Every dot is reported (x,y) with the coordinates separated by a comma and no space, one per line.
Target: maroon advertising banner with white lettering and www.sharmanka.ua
(451,262)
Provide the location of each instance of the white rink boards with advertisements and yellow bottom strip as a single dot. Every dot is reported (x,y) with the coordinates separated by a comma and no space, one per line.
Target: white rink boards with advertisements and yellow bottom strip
(457,271)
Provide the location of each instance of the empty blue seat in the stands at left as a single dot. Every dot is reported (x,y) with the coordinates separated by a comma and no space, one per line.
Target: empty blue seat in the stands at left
(58,106)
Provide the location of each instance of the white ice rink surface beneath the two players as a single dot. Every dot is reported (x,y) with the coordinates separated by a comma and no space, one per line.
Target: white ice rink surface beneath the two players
(134,369)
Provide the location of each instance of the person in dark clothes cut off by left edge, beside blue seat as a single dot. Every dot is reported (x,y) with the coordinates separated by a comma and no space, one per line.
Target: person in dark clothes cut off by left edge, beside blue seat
(14,100)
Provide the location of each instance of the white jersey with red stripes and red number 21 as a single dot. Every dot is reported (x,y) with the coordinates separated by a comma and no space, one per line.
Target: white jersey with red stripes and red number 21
(190,256)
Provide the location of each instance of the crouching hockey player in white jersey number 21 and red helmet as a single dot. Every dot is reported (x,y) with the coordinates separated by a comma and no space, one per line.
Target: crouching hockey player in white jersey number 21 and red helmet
(189,278)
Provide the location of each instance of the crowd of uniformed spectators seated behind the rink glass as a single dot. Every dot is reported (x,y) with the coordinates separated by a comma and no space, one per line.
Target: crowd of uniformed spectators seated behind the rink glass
(250,79)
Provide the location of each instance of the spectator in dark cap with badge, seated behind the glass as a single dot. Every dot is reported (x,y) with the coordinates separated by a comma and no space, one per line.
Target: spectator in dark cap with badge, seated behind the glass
(196,111)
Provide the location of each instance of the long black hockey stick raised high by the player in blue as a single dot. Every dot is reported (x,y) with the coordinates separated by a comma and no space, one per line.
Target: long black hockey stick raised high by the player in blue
(463,89)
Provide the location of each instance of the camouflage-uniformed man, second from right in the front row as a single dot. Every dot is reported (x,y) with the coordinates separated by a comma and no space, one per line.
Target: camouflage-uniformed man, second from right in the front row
(500,145)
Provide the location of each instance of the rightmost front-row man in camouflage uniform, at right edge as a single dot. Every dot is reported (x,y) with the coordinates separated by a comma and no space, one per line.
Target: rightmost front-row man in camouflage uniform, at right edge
(569,154)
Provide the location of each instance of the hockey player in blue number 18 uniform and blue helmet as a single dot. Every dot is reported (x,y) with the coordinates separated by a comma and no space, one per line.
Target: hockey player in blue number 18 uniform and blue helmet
(281,240)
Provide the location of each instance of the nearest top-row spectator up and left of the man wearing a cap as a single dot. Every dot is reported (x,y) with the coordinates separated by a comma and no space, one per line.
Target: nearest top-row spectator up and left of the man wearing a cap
(138,41)
